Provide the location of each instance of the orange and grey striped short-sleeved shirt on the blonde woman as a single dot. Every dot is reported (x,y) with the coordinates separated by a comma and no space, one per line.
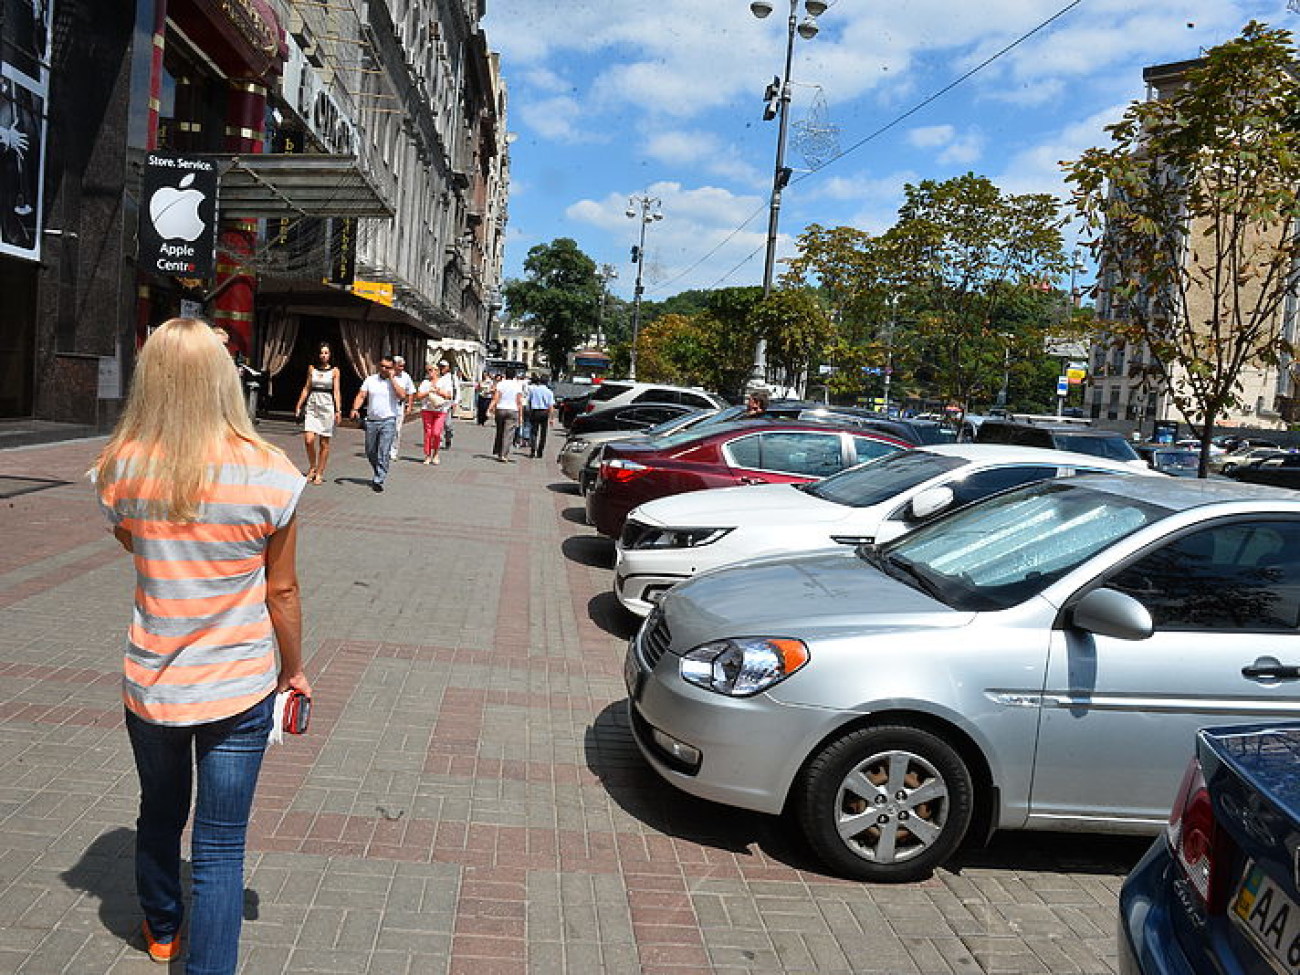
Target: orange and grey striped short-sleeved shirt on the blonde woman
(201,647)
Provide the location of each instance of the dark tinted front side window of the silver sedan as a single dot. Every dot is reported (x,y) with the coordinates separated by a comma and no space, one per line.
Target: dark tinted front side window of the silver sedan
(1230,578)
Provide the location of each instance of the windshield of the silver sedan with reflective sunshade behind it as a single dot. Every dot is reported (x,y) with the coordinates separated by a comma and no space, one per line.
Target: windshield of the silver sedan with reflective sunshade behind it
(1004,551)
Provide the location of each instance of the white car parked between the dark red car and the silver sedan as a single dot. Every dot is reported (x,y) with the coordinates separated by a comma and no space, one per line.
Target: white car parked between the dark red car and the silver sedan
(673,539)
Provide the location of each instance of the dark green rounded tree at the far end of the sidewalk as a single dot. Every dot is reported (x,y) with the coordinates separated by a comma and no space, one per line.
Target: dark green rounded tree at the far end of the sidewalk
(561,298)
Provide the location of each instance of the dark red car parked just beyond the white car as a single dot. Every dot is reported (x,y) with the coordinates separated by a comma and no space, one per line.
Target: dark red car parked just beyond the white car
(751,452)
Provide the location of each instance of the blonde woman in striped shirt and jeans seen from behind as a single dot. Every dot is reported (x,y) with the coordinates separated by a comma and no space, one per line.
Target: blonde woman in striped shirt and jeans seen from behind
(207,509)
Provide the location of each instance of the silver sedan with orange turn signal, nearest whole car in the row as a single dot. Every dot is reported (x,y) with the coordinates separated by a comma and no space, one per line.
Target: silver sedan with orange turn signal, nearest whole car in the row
(1037,661)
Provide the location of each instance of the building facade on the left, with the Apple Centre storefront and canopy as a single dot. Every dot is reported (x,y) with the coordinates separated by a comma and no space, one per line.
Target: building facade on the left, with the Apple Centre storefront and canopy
(362,167)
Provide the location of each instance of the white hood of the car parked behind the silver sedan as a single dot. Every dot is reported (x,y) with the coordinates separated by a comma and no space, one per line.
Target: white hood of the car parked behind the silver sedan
(736,508)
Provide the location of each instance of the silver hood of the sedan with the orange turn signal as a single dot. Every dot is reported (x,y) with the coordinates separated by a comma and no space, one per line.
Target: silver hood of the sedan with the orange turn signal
(800,597)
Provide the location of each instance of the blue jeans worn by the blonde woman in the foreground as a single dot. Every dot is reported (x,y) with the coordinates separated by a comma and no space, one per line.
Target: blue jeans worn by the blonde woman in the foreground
(228,755)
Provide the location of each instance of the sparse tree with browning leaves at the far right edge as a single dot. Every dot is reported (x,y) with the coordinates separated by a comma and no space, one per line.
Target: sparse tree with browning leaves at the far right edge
(1193,211)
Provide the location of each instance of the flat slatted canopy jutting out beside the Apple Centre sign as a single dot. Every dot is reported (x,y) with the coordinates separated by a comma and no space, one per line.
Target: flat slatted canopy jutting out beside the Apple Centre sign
(272,185)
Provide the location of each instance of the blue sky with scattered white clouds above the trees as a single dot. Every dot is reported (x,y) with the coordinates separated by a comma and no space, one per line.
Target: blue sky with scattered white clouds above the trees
(665,98)
